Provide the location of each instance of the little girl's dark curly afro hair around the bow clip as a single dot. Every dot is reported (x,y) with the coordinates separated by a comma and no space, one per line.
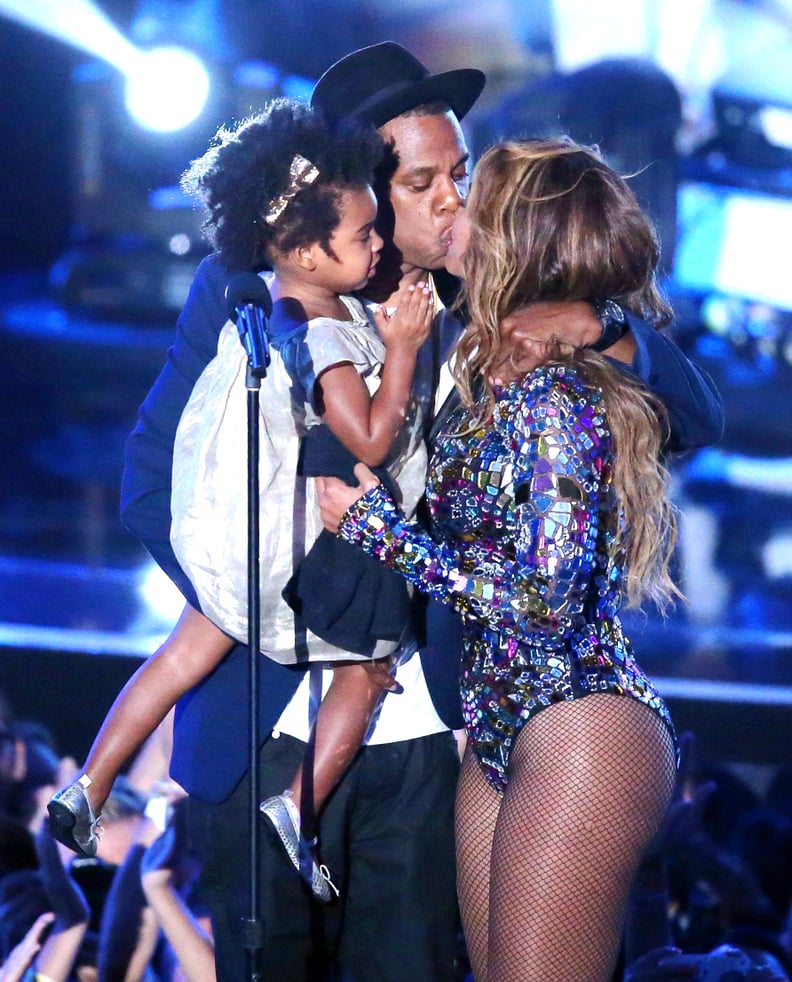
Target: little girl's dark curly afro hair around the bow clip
(245,168)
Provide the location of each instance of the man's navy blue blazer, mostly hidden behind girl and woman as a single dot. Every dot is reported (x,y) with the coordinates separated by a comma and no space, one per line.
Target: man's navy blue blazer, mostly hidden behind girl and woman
(210,753)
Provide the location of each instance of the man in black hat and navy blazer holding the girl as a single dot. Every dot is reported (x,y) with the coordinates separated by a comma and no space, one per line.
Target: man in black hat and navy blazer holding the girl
(387,831)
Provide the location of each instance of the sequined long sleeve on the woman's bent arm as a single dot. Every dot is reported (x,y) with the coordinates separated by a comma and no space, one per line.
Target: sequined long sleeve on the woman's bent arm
(533,577)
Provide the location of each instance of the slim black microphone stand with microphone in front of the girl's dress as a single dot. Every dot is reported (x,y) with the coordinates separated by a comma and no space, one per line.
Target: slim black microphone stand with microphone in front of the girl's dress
(250,315)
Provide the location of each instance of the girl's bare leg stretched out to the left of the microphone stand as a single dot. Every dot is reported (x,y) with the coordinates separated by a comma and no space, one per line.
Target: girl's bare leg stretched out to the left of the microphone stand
(191,651)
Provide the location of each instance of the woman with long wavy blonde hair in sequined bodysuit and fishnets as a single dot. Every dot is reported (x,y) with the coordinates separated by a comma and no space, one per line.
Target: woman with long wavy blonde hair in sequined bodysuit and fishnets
(549,509)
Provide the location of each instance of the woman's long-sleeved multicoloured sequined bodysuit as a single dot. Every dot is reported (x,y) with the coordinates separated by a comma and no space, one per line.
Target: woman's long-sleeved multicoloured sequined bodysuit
(522,514)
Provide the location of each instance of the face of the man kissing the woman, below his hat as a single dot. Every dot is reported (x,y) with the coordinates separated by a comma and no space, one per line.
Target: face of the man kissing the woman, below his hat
(429,184)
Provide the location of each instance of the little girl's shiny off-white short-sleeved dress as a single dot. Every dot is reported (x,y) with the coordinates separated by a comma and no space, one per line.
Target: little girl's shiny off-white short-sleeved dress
(209,530)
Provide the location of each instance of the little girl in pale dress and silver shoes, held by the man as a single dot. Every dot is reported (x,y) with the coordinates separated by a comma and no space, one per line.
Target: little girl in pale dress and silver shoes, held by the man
(285,192)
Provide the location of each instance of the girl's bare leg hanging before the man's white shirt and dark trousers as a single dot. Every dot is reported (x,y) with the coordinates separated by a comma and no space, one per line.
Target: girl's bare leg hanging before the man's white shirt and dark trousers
(341,724)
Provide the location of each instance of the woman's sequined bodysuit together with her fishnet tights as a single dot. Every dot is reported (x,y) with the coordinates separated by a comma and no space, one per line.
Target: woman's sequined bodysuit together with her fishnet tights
(559,795)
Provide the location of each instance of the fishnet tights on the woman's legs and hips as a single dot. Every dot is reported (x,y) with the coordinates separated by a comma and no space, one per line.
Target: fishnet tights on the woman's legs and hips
(544,873)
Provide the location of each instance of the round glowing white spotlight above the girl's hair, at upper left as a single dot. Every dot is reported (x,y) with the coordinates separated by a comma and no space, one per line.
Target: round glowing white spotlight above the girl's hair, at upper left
(167,90)
